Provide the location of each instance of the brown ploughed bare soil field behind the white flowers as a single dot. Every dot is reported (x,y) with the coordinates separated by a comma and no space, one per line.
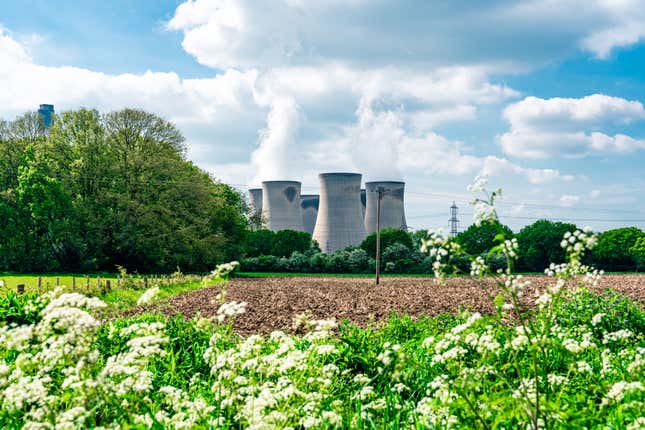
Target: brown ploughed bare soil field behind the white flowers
(273,302)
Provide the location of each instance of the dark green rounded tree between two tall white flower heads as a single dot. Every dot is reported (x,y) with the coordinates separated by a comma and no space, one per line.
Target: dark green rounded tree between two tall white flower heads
(539,244)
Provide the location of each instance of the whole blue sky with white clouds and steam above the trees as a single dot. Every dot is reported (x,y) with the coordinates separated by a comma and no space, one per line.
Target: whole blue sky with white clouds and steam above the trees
(546,98)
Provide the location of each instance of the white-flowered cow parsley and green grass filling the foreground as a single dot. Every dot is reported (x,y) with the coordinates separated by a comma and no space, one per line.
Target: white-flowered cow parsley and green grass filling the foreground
(61,366)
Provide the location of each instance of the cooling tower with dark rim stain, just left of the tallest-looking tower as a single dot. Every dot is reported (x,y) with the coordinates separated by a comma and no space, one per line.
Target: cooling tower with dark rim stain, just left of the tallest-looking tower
(281,205)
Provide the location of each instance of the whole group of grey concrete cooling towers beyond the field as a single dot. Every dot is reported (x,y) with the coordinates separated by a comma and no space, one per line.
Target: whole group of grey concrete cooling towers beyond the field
(342,215)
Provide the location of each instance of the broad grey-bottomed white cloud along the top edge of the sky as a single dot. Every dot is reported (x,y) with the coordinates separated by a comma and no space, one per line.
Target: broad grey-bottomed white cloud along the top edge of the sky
(499,33)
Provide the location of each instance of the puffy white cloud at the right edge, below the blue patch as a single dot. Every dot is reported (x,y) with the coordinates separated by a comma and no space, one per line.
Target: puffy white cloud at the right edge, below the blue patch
(542,128)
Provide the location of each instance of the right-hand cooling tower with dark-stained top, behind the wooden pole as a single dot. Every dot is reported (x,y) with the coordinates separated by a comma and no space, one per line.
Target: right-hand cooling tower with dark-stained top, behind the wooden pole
(392,207)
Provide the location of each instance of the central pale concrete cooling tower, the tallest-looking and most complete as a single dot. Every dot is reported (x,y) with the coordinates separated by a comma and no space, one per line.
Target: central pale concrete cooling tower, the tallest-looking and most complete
(340,221)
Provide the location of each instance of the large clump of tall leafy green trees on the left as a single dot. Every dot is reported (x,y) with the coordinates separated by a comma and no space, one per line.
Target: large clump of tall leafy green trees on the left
(106,190)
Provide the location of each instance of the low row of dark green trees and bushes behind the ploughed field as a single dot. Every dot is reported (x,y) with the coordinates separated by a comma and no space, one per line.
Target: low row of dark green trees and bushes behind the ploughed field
(620,249)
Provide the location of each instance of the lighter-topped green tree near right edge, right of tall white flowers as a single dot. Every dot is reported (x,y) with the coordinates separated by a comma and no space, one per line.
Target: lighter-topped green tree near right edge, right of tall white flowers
(614,249)
